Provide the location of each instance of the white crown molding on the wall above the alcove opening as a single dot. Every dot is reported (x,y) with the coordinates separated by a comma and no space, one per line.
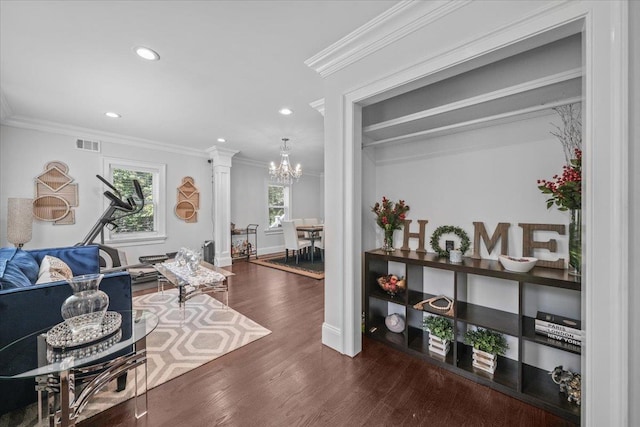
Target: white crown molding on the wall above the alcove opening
(397,22)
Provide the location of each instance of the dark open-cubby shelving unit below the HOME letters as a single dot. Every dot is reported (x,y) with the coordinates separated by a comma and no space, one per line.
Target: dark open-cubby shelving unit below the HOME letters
(514,377)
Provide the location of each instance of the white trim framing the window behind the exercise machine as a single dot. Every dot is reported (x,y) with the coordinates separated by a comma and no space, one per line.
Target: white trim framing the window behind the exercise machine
(159,197)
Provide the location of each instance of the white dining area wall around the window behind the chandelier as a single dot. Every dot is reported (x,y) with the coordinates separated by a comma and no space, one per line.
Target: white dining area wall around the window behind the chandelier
(249,201)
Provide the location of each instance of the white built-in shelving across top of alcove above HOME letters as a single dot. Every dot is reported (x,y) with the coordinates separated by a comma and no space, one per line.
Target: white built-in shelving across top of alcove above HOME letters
(499,92)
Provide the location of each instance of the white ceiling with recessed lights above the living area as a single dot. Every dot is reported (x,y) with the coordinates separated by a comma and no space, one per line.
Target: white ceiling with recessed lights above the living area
(226,68)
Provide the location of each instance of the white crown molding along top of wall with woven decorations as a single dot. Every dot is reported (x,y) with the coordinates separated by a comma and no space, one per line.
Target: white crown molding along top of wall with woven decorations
(84,133)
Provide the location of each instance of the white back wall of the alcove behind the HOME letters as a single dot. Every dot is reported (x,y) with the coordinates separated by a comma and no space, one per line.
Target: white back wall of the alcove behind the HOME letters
(486,175)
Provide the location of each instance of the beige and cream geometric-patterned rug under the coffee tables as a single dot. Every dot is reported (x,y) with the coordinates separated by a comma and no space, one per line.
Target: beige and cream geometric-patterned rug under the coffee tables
(177,345)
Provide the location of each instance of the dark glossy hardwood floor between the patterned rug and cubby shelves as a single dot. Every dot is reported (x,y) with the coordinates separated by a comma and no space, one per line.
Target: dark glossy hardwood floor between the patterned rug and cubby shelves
(290,379)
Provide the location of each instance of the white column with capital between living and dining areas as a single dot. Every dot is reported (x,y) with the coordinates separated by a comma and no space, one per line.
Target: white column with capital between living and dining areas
(221,159)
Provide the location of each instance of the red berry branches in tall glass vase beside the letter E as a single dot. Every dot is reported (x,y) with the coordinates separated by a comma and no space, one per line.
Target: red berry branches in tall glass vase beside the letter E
(566,189)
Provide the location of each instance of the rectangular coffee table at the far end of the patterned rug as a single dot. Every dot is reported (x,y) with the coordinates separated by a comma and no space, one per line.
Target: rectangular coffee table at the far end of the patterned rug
(206,279)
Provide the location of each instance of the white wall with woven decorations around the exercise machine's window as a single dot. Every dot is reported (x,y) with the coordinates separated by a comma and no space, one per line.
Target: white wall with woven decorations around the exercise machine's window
(24,153)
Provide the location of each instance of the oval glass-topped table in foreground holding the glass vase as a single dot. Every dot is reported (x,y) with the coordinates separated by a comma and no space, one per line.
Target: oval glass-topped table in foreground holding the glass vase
(58,369)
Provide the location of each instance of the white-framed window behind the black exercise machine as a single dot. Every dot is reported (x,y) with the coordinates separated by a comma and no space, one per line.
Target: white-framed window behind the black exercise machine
(149,223)
